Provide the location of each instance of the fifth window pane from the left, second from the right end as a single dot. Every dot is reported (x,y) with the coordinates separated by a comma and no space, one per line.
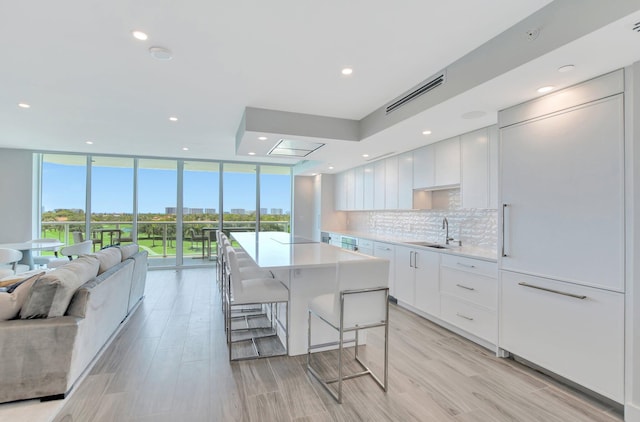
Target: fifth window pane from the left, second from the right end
(239,197)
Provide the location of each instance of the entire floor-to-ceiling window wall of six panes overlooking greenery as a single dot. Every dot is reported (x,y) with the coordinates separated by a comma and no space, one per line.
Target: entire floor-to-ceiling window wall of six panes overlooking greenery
(170,207)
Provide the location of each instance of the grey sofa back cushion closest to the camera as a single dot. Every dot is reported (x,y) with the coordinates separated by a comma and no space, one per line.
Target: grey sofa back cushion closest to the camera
(52,292)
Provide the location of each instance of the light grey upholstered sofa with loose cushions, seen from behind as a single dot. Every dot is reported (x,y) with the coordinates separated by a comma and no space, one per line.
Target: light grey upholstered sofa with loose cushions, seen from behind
(42,354)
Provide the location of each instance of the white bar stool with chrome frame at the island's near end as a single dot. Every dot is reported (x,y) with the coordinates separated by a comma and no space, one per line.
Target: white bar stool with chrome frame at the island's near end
(351,308)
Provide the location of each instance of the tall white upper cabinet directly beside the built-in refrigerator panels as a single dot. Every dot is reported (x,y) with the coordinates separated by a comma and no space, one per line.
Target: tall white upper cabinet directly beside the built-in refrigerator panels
(479,156)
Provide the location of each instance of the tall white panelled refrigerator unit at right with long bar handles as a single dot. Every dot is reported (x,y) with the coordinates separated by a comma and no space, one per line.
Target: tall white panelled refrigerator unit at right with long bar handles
(562,269)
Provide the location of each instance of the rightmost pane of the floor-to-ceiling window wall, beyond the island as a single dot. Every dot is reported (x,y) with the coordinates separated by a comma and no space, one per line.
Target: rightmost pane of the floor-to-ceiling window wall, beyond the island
(275,198)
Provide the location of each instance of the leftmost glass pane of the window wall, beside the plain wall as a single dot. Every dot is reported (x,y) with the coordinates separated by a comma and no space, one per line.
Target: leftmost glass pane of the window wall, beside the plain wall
(64,196)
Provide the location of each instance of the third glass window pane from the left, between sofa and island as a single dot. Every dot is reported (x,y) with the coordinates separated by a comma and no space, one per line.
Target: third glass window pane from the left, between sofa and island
(157,190)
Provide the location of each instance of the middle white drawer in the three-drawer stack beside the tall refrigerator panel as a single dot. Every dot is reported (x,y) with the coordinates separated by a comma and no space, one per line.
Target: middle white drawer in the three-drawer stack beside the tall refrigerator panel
(475,288)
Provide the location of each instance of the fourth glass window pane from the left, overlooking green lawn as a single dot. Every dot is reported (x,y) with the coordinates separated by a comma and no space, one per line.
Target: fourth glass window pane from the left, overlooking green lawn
(201,198)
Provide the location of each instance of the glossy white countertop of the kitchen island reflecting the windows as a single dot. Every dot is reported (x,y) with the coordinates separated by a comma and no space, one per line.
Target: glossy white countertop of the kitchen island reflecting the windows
(278,250)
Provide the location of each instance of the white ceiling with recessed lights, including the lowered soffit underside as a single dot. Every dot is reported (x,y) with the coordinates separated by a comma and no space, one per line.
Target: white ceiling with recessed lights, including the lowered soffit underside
(86,78)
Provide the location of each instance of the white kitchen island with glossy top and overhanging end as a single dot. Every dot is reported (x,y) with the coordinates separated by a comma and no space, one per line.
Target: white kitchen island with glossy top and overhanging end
(307,268)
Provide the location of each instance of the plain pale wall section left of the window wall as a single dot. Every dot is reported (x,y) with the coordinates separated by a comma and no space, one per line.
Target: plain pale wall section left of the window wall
(16,187)
